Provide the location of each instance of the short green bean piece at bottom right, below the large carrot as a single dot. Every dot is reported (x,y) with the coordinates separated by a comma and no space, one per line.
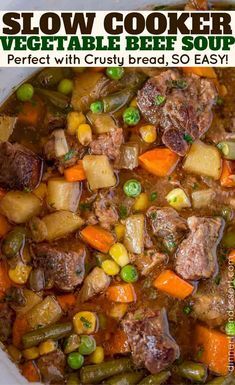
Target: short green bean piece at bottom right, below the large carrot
(192,371)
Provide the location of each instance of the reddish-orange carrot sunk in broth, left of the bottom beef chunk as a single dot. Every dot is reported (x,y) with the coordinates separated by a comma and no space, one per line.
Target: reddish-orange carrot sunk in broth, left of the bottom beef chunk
(117,344)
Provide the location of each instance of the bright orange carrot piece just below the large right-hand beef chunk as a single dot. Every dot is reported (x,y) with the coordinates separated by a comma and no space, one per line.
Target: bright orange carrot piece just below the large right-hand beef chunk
(173,285)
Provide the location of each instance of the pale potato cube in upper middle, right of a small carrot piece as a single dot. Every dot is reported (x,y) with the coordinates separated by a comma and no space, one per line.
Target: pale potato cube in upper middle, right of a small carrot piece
(98,171)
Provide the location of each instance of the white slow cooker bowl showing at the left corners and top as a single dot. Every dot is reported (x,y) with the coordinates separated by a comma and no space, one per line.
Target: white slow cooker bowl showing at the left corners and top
(11,77)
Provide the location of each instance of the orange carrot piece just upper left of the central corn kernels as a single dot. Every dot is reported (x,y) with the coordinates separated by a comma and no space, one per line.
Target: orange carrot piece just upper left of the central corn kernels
(98,238)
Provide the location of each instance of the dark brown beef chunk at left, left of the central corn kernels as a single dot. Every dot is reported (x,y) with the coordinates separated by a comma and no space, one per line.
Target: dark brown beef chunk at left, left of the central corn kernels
(62,262)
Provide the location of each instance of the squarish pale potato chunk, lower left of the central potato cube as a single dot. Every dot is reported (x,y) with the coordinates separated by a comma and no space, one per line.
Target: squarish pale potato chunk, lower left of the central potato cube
(63,195)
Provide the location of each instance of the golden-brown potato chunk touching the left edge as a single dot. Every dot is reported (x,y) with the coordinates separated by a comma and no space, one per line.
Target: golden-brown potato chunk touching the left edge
(20,206)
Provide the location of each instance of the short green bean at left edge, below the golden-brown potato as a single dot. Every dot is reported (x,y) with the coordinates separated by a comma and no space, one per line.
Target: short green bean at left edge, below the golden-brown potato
(13,242)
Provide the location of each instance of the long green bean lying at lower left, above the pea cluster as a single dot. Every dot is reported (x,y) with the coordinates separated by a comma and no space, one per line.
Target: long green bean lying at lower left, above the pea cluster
(54,332)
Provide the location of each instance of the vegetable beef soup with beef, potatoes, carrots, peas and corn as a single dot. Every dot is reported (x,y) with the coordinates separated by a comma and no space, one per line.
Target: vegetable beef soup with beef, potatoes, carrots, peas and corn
(117,225)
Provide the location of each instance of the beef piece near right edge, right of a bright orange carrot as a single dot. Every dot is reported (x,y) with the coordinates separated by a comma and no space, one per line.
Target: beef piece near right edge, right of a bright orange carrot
(210,302)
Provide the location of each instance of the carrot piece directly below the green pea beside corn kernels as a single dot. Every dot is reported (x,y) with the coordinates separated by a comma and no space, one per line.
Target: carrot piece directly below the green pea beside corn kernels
(124,293)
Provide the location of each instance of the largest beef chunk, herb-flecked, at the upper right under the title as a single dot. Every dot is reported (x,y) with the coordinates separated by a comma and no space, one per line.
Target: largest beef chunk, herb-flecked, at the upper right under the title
(184,108)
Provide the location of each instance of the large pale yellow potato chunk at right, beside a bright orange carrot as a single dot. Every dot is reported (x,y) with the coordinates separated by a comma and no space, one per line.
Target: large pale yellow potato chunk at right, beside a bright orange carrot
(203,159)
